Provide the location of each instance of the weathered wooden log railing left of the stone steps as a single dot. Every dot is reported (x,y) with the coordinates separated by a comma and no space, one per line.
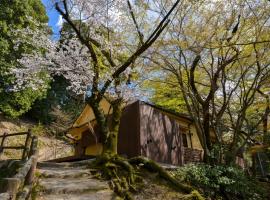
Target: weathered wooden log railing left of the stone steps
(20,185)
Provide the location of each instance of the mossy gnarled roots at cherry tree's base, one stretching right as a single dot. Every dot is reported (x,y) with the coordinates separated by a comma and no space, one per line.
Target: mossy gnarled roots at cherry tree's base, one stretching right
(123,175)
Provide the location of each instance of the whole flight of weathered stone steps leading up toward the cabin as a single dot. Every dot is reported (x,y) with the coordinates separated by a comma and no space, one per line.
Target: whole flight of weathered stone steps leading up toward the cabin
(70,181)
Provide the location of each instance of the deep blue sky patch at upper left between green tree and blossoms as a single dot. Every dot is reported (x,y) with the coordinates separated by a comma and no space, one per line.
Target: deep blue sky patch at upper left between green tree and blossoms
(53,16)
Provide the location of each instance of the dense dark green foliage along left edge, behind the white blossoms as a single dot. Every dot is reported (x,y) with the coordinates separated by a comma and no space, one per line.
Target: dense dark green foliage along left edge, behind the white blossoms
(14,15)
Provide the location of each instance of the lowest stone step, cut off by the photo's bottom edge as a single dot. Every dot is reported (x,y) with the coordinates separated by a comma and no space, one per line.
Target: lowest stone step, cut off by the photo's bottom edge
(98,195)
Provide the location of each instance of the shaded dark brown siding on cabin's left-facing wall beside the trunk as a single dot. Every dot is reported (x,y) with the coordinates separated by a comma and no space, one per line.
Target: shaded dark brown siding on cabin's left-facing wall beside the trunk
(129,131)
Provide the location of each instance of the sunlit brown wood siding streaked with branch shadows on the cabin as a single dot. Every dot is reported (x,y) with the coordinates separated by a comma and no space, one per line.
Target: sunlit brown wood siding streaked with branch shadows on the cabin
(160,137)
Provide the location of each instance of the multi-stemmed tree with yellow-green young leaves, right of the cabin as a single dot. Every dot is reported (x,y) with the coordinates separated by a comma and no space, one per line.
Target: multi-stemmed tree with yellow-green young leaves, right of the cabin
(218,67)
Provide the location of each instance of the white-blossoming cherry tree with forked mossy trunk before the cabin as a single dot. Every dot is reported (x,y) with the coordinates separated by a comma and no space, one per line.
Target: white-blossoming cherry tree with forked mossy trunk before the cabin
(99,56)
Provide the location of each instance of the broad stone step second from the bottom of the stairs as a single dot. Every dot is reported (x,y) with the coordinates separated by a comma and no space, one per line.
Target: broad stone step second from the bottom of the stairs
(71,185)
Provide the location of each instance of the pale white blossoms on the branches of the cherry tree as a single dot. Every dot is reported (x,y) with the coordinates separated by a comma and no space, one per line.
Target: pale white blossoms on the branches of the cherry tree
(108,22)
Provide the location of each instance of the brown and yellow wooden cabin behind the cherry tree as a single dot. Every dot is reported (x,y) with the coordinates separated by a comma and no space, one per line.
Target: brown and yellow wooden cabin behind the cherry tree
(146,130)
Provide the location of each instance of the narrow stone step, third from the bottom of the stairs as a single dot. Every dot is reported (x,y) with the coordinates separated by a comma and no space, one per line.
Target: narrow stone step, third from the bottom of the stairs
(64,173)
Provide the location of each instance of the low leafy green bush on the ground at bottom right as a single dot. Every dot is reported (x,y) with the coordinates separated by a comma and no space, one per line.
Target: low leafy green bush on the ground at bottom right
(220,182)
